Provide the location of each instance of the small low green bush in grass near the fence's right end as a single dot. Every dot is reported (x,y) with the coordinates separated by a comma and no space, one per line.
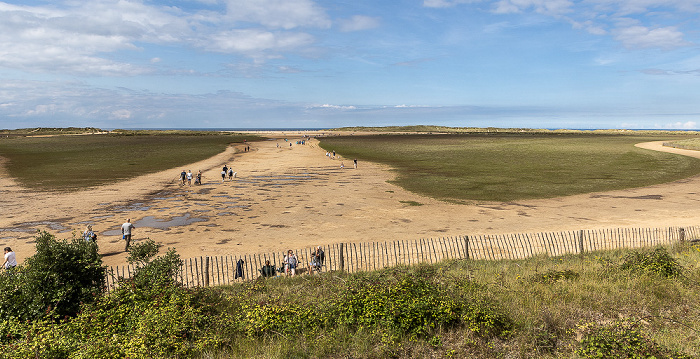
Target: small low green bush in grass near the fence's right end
(657,261)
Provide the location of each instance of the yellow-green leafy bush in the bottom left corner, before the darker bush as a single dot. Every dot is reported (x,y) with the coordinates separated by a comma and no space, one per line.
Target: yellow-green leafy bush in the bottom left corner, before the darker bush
(135,320)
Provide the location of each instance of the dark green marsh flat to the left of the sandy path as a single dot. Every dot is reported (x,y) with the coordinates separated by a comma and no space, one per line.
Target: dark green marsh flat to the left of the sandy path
(74,162)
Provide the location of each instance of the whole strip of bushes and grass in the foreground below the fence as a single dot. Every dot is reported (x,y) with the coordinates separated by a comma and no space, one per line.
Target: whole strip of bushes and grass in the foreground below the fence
(622,304)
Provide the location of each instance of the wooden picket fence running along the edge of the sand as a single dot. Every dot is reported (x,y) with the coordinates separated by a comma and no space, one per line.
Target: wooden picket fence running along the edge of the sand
(366,256)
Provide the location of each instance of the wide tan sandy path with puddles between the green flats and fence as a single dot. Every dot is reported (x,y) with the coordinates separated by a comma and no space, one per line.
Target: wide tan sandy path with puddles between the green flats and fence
(295,197)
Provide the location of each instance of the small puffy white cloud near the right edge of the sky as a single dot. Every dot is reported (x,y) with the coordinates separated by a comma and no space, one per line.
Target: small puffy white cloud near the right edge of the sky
(642,37)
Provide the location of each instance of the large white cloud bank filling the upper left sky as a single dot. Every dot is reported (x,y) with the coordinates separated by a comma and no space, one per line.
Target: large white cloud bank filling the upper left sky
(76,38)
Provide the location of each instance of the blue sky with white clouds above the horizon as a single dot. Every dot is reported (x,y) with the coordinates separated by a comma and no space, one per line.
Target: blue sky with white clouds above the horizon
(627,64)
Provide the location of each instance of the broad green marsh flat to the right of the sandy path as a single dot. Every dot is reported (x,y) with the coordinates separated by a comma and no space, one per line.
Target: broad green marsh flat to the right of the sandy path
(511,166)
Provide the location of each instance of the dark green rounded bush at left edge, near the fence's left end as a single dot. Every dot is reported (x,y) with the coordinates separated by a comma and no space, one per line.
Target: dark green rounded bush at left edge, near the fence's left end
(55,281)
